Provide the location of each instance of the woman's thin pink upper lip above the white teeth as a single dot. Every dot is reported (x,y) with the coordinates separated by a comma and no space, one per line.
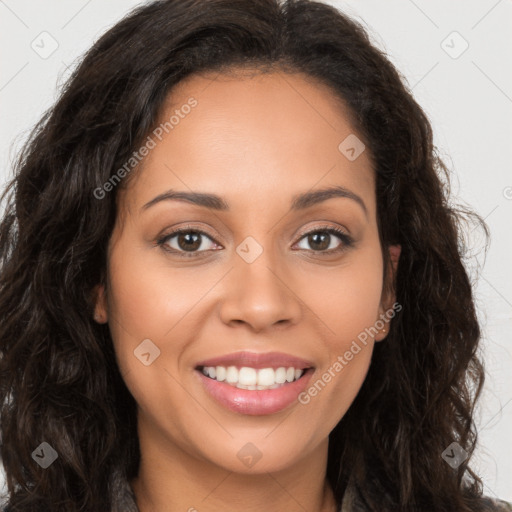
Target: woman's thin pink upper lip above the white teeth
(257,360)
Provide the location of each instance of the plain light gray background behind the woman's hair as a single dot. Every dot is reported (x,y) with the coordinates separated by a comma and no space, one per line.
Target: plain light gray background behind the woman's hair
(468,99)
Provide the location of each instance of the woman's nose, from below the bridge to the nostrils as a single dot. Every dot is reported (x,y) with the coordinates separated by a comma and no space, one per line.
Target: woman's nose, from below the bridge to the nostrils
(259,295)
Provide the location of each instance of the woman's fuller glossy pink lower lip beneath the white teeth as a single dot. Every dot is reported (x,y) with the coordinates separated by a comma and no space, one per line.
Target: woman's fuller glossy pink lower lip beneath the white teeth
(255,402)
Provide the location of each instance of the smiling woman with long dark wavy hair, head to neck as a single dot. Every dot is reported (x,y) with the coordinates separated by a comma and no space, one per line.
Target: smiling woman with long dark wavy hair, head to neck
(231,278)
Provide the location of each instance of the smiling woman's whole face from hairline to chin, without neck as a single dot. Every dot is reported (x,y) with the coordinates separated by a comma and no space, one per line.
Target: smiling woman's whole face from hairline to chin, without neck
(255,281)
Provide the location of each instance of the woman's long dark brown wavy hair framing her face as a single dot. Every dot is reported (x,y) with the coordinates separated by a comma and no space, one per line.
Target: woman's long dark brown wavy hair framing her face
(59,380)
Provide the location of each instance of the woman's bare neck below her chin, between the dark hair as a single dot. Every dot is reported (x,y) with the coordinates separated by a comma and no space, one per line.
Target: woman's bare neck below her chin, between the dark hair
(170,479)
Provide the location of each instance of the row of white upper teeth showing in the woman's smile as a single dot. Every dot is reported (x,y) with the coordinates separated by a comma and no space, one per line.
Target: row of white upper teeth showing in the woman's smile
(252,378)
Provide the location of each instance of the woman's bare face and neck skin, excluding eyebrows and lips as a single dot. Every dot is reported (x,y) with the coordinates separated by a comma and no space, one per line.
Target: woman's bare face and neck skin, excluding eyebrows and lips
(257,141)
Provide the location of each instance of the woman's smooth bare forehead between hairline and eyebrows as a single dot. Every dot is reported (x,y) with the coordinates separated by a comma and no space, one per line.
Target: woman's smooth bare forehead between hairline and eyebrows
(252,135)
